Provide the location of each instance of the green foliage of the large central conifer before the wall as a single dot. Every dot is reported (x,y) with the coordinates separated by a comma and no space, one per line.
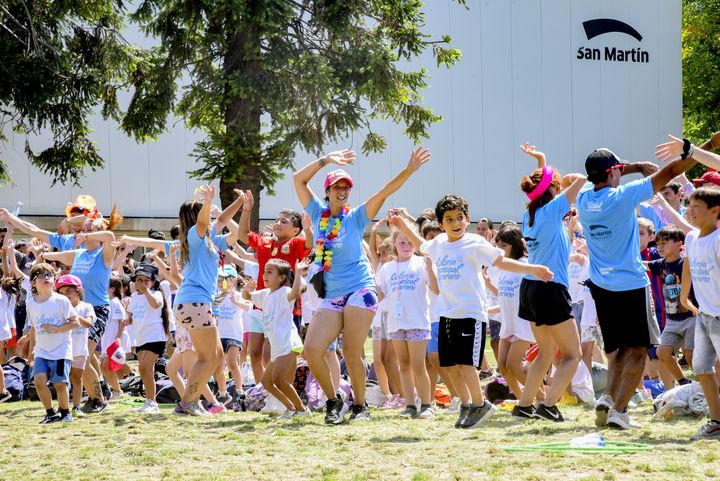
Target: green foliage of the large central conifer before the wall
(263,77)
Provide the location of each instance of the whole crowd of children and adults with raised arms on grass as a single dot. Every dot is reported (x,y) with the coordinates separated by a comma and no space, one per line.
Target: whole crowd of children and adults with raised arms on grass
(632,269)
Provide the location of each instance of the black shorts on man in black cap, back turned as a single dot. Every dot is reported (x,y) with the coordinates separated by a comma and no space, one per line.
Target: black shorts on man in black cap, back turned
(626,318)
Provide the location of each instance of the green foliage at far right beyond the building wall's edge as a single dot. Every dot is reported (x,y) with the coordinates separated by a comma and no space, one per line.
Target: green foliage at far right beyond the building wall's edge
(701,70)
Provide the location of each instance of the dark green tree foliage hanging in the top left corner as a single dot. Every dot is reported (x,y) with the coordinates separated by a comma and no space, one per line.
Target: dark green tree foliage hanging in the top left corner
(60,62)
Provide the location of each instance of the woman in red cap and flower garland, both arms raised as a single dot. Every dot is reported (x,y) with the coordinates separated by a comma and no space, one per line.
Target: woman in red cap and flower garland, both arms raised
(349,300)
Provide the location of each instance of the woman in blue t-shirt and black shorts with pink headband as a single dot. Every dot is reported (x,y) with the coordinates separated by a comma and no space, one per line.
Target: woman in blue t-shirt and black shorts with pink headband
(547,305)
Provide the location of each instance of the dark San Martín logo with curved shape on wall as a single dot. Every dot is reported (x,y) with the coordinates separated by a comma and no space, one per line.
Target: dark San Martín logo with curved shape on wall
(601,26)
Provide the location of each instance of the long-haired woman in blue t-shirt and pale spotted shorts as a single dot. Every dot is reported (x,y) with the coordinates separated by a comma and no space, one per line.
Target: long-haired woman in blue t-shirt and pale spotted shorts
(201,252)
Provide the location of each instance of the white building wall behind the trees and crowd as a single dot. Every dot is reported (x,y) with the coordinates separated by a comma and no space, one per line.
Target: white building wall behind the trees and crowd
(519,79)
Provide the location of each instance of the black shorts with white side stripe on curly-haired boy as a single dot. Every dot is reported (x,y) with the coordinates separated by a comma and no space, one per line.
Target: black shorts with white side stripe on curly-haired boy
(461,342)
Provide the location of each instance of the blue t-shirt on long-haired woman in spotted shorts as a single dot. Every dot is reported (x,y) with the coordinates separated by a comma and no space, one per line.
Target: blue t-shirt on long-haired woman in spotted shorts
(200,272)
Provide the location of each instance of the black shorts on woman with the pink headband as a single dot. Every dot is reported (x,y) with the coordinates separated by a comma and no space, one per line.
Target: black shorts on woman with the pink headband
(544,303)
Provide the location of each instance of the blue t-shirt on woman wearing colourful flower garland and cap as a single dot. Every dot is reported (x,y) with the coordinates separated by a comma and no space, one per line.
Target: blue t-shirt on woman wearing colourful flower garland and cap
(350,269)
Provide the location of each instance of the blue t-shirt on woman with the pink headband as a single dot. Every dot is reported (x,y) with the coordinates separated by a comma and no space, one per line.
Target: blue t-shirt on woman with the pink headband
(547,240)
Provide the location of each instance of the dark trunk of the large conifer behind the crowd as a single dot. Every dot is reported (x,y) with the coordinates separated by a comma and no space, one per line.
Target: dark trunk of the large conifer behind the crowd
(242,117)
